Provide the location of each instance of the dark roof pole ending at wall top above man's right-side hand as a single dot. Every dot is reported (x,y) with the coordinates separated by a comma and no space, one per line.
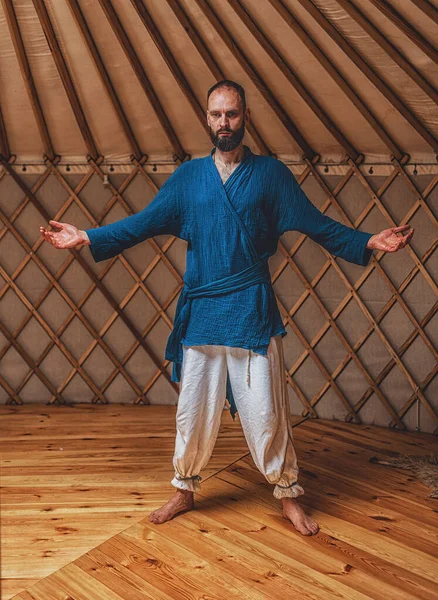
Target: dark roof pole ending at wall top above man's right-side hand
(325,62)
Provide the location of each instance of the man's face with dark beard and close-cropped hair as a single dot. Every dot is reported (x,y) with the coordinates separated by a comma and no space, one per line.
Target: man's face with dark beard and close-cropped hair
(226,119)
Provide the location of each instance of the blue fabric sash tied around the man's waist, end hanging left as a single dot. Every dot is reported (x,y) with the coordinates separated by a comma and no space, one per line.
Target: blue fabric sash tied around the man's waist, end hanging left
(256,273)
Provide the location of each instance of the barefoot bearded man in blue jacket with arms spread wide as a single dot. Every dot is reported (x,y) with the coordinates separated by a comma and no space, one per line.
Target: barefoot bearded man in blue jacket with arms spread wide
(231,207)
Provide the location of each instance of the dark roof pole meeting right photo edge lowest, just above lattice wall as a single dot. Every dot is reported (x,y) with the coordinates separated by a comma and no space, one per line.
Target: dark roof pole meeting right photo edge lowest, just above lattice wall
(384,89)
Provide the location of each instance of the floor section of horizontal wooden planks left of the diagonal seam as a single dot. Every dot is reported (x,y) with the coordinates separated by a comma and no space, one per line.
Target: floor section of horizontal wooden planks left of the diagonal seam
(73,477)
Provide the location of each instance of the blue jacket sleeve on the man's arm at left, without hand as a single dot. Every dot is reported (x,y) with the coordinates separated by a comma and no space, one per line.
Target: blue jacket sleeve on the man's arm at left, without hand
(161,216)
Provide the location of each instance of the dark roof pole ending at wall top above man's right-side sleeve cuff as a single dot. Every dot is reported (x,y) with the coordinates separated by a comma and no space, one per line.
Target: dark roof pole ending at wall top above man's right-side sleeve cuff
(293,78)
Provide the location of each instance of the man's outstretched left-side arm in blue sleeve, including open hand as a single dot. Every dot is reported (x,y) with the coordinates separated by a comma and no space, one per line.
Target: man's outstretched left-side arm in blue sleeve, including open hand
(161,216)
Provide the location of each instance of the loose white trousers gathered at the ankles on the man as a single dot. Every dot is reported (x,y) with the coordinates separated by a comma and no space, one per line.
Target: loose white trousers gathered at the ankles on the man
(259,389)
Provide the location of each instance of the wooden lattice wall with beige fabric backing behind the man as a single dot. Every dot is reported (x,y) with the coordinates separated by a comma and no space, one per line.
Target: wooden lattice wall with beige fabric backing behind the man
(361,343)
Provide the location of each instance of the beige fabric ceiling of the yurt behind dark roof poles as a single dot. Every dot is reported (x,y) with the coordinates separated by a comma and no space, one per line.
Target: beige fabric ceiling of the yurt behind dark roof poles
(410,29)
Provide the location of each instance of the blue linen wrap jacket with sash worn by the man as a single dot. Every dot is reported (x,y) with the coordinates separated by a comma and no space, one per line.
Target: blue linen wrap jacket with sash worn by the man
(231,230)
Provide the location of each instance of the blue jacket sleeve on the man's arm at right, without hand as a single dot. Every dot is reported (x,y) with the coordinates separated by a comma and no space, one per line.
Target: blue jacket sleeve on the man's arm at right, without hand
(294,211)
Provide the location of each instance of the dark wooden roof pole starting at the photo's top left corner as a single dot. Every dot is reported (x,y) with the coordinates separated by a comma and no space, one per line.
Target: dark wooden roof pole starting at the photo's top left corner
(14,30)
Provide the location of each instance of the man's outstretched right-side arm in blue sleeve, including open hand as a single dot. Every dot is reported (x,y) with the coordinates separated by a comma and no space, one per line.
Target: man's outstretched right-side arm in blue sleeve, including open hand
(294,211)
